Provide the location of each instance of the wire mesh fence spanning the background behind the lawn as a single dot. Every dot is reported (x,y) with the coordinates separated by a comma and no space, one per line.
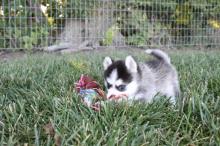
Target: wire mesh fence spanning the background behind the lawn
(58,24)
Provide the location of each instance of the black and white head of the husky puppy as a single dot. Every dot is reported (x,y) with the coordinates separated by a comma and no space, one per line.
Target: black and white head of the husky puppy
(120,77)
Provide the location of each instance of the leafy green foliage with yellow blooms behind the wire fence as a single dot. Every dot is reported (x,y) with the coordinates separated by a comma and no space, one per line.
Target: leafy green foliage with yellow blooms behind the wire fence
(137,20)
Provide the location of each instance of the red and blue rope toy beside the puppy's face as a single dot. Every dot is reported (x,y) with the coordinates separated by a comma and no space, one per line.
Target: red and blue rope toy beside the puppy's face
(90,91)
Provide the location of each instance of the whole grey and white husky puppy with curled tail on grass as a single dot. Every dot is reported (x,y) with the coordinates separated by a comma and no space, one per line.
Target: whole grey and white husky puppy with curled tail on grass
(142,81)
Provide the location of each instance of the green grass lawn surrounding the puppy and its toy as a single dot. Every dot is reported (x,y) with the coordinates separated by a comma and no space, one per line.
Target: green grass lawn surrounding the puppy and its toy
(39,89)
